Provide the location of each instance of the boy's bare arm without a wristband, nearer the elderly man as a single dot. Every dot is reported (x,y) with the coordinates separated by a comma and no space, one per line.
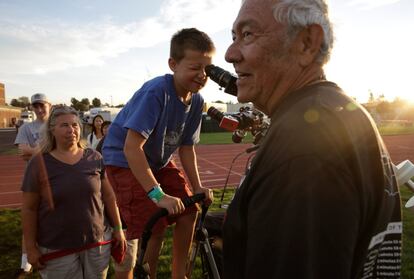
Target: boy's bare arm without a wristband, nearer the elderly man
(189,162)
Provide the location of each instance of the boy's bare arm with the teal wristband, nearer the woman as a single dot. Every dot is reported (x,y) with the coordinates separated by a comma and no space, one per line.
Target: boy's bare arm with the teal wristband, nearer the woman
(137,161)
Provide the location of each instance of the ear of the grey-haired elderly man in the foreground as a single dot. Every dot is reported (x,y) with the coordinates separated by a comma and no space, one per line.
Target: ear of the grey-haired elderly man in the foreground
(310,41)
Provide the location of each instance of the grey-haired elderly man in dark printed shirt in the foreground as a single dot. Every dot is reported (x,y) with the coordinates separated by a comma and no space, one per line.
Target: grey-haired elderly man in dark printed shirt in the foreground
(321,199)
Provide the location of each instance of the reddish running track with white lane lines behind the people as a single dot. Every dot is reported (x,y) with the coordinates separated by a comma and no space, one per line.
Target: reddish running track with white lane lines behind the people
(213,160)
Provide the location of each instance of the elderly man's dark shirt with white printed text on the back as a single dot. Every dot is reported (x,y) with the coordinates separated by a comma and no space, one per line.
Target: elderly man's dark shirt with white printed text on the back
(321,199)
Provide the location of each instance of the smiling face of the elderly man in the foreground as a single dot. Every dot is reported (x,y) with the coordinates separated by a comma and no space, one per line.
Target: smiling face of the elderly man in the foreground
(258,52)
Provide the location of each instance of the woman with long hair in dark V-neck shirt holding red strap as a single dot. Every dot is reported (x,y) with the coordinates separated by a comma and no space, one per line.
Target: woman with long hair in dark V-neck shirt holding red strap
(65,191)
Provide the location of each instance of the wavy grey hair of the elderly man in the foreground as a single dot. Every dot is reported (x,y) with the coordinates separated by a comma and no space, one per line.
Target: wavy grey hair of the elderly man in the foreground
(297,14)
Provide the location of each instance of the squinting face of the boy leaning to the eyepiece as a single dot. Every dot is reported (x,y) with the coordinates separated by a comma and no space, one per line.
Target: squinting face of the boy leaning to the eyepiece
(189,74)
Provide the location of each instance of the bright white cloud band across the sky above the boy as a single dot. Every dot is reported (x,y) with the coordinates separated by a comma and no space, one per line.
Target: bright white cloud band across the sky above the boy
(55,45)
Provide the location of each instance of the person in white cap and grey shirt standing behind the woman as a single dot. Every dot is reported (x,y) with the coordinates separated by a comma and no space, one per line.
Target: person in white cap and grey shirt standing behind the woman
(27,141)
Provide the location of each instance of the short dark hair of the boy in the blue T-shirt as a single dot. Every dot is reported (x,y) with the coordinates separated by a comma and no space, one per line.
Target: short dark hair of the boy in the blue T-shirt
(190,38)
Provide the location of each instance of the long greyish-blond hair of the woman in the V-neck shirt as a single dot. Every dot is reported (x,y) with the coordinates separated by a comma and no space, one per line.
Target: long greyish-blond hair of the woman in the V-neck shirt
(48,142)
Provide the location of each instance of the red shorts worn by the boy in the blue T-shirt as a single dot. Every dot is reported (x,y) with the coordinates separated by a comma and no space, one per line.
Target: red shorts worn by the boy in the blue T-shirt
(135,206)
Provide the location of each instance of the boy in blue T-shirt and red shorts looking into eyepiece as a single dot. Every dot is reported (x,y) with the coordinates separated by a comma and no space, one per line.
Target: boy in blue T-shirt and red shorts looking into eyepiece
(162,116)
